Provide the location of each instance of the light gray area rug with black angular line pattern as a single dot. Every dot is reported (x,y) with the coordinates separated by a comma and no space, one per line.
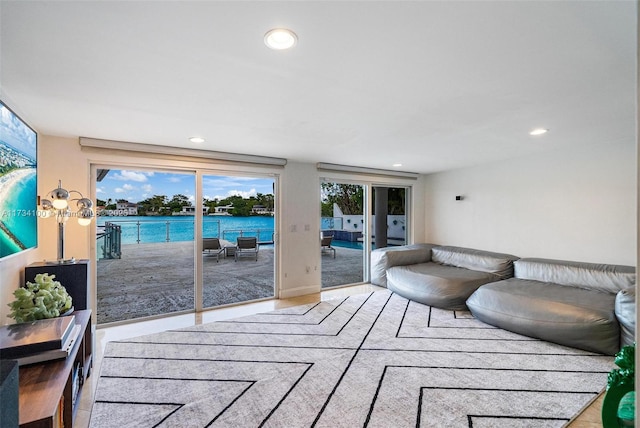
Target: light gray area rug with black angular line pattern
(373,360)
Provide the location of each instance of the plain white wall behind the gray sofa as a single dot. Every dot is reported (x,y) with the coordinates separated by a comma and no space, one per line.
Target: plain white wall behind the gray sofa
(567,204)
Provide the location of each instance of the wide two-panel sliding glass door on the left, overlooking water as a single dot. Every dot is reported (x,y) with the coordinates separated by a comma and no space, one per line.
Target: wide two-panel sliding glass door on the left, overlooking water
(150,261)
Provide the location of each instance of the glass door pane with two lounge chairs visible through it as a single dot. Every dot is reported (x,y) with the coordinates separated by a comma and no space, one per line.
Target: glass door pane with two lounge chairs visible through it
(238,245)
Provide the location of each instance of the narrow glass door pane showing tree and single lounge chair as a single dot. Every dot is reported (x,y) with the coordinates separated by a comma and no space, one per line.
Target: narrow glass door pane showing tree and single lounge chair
(343,233)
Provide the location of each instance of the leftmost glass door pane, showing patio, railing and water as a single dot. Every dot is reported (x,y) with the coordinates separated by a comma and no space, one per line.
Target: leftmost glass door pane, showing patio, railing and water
(144,243)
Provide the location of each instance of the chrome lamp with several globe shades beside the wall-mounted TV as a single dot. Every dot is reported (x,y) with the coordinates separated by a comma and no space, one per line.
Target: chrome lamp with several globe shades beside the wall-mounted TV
(58,205)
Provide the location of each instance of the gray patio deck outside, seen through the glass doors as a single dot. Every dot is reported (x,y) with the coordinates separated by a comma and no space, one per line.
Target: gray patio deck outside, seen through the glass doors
(154,279)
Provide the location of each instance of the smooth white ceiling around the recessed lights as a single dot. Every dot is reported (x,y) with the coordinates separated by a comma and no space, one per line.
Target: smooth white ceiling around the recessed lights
(433,85)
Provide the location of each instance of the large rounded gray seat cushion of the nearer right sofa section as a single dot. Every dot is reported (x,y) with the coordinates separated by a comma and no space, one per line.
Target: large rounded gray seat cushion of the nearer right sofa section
(571,316)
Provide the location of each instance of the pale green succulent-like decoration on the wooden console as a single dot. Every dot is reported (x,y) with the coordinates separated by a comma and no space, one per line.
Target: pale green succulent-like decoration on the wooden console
(44,298)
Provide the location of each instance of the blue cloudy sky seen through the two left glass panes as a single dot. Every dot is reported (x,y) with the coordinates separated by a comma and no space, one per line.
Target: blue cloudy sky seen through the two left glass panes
(136,186)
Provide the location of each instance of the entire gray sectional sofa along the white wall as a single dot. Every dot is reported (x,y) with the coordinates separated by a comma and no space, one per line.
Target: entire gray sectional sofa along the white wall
(583,305)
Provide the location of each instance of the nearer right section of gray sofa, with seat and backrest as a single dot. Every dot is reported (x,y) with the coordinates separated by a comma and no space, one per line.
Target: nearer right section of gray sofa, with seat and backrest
(570,303)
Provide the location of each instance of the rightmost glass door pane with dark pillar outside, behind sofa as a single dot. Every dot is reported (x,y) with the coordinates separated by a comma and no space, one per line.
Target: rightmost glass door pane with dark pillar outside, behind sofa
(389,216)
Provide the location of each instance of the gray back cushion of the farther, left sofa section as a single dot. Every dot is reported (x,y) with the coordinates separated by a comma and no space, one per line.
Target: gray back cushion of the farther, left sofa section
(478,260)
